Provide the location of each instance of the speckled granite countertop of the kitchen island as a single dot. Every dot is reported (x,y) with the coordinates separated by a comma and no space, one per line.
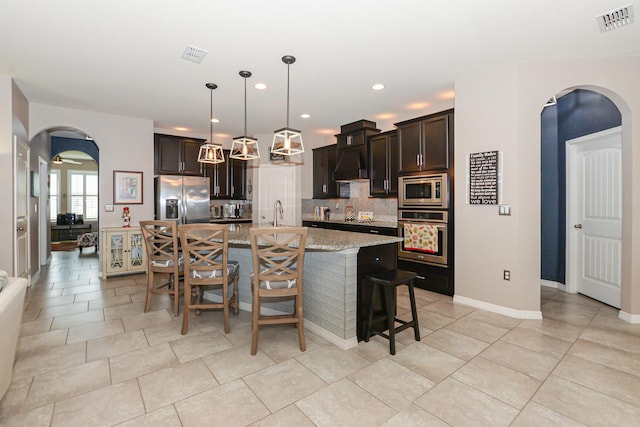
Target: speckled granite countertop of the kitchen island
(320,239)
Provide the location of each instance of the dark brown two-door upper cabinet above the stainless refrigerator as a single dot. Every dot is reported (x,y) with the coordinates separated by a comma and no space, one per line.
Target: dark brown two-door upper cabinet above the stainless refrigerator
(176,155)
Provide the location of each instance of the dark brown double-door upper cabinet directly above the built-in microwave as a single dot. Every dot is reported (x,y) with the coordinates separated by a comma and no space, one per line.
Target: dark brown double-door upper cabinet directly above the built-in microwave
(424,143)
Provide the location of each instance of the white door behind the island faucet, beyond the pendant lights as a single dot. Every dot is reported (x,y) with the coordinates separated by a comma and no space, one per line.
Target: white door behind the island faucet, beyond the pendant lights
(278,183)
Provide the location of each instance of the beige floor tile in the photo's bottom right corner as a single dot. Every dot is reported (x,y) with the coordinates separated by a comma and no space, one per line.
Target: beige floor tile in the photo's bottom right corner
(585,405)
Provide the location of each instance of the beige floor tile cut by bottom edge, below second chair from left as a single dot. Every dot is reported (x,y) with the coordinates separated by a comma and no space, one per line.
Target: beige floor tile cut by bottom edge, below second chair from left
(231,404)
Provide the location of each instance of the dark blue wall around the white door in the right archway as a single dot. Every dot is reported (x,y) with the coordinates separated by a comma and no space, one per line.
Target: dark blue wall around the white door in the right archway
(579,113)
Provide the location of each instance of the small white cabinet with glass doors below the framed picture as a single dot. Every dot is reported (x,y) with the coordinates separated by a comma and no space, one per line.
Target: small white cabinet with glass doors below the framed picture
(124,251)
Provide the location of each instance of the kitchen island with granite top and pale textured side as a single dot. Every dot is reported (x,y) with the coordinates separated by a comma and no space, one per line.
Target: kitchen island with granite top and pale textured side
(335,262)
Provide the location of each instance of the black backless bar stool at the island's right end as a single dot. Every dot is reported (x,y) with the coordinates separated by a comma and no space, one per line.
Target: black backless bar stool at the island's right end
(388,281)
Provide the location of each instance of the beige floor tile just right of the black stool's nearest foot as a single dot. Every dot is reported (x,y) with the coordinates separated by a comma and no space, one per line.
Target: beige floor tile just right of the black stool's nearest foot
(428,361)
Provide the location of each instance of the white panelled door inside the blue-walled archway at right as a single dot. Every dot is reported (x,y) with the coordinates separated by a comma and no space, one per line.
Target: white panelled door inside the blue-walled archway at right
(594,216)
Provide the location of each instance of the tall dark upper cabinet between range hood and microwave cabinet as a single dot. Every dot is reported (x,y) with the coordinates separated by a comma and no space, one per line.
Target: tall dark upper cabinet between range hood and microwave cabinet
(383,164)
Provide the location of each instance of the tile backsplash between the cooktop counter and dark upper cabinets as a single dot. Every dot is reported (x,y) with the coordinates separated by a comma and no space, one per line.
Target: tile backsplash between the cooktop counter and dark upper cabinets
(384,209)
